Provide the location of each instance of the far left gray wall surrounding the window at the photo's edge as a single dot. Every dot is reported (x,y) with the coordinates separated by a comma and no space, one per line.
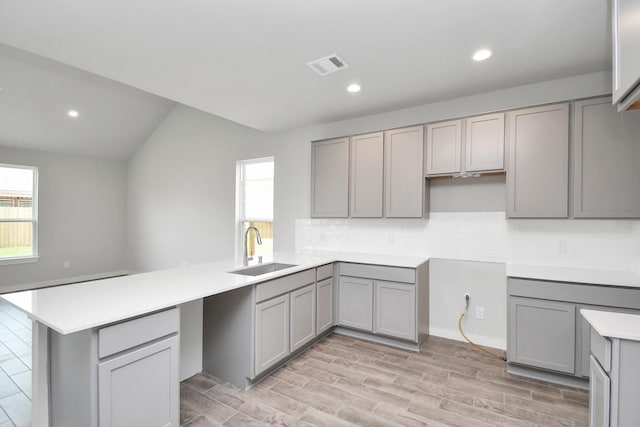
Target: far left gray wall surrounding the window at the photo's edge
(81,210)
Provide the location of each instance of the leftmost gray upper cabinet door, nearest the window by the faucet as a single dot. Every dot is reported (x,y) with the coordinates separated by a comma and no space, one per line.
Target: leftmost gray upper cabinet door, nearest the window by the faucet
(330,178)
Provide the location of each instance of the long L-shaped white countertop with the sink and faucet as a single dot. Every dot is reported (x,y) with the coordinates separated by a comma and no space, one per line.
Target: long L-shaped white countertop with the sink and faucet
(81,306)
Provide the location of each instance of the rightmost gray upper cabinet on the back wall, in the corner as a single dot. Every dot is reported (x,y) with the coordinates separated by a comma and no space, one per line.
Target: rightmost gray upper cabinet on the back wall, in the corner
(606,155)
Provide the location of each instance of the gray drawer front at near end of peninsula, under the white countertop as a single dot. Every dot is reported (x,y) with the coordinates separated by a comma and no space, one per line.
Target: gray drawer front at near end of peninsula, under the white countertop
(129,334)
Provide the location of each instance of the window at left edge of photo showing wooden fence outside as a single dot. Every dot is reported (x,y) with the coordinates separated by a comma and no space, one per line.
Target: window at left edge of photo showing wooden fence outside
(18,214)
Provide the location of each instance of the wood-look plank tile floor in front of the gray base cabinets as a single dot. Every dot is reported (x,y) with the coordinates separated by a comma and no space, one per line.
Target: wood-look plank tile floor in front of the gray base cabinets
(341,381)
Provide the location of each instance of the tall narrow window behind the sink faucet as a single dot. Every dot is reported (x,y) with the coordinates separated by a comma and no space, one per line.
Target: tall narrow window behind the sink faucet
(254,205)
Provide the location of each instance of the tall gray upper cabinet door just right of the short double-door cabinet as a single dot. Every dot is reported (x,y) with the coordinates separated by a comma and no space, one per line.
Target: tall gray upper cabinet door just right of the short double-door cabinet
(538,169)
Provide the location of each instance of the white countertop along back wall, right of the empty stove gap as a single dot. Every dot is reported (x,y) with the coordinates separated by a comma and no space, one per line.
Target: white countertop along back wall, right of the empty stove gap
(575,275)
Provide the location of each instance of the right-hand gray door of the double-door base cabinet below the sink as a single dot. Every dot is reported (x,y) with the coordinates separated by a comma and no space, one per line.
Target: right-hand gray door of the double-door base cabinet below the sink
(303,316)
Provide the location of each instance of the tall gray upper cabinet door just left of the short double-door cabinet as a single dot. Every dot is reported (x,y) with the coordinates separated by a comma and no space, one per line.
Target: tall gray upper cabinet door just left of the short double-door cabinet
(403,172)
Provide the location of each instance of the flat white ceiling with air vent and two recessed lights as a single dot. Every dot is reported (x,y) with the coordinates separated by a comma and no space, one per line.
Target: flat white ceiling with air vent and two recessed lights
(245,60)
